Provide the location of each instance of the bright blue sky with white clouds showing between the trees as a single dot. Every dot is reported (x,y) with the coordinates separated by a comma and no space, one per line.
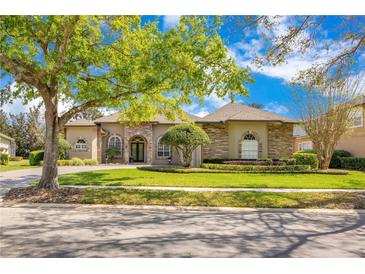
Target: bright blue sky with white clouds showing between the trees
(271,87)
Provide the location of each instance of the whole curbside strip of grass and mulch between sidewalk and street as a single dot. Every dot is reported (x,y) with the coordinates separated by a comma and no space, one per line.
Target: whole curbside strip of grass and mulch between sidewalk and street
(184,198)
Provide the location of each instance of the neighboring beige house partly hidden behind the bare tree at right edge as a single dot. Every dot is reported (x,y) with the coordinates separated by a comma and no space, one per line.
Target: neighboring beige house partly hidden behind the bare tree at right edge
(353,141)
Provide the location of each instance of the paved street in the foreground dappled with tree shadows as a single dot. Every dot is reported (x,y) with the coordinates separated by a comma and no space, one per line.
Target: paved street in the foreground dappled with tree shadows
(112,231)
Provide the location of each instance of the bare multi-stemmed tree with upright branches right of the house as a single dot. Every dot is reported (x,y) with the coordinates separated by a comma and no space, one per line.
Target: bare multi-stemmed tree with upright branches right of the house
(327,112)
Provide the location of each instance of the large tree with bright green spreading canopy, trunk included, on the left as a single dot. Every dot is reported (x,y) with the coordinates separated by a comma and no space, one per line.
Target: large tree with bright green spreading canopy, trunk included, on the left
(113,61)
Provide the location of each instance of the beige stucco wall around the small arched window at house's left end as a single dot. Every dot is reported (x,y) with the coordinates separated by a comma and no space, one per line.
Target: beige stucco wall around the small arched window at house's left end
(87,133)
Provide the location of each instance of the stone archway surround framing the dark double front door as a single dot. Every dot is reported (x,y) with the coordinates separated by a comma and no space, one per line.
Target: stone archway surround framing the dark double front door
(145,131)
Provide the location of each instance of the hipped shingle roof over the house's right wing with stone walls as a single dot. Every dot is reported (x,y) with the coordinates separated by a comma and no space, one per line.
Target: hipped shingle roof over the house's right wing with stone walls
(240,112)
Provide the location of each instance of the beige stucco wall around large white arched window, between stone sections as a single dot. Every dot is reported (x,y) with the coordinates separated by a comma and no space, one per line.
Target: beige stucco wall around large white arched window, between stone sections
(236,131)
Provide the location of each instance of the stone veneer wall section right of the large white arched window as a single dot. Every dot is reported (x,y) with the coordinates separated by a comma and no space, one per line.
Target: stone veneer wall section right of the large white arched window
(280,140)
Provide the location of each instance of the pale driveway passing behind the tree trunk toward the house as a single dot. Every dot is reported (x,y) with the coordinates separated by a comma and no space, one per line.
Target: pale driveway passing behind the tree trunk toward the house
(18,178)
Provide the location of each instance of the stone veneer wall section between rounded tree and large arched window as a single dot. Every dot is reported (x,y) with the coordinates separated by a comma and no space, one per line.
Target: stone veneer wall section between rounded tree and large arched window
(218,134)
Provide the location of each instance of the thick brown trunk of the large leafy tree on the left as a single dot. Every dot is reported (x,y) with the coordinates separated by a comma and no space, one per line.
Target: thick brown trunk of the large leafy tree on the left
(49,177)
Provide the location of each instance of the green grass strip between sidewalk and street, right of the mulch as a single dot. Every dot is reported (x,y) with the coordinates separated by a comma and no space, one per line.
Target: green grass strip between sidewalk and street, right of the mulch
(232,199)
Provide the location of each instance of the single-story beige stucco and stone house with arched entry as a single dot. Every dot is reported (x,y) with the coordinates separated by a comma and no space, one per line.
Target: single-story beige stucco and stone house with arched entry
(235,130)
